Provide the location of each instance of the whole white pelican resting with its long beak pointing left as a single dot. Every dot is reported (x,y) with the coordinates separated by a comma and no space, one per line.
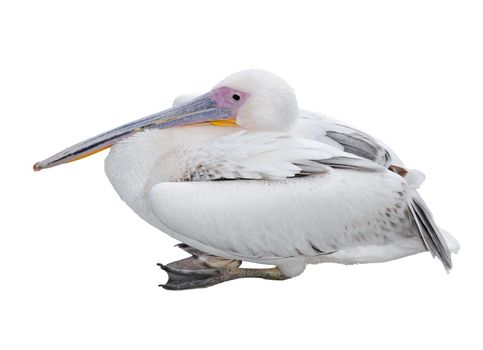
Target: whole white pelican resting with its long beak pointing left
(241,174)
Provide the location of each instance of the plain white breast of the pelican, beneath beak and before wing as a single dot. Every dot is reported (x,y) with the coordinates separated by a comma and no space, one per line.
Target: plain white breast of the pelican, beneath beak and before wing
(136,164)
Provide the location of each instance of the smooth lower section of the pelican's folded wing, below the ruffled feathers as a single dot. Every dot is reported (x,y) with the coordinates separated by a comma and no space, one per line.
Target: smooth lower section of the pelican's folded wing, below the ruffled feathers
(268,220)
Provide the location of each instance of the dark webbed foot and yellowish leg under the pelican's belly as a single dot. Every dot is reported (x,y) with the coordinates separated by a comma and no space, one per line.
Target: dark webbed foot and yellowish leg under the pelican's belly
(202,270)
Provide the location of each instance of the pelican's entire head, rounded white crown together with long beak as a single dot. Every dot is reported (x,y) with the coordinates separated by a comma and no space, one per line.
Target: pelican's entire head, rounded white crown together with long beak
(252,99)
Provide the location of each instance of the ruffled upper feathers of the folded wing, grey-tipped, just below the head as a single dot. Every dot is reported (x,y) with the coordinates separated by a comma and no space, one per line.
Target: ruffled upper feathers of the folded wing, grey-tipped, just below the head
(262,155)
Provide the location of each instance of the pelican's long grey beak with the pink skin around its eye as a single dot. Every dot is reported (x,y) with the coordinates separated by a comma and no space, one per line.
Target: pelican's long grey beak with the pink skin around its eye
(217,106)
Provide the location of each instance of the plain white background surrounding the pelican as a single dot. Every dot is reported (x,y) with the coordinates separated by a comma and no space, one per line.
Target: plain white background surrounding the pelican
(78,267)
